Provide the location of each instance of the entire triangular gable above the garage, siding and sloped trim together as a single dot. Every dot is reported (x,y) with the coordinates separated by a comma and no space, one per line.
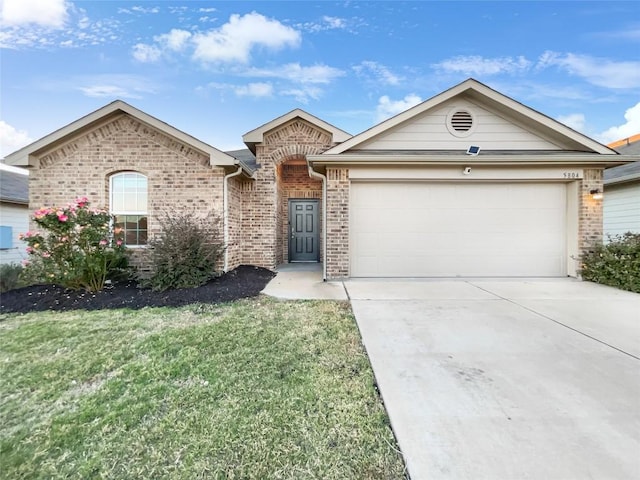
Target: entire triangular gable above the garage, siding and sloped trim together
(522,127)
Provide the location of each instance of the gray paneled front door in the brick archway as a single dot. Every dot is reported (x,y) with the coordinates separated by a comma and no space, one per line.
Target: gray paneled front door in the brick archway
(303,231)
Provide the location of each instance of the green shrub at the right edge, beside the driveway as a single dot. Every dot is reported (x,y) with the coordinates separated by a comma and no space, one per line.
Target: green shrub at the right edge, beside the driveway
(616,264)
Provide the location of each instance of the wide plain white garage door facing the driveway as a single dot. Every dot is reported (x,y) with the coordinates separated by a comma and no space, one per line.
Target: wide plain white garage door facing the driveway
(454,229)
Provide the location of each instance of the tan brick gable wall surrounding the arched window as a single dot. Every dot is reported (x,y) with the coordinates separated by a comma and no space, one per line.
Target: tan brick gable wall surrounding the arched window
(179,177)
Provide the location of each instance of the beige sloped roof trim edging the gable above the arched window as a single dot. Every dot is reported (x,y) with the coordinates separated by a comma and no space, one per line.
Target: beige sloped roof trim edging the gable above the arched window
(26,155)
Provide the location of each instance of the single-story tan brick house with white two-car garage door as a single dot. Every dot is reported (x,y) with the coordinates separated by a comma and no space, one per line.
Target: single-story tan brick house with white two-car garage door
(467,183)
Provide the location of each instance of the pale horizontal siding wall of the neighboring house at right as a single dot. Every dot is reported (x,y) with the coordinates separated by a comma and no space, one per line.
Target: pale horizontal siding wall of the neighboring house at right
(622,209)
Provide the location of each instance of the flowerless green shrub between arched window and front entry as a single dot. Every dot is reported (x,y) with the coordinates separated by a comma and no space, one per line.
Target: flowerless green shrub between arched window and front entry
(187,253)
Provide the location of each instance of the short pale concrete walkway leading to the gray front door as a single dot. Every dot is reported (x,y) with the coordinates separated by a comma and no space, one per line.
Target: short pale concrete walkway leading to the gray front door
(303,281)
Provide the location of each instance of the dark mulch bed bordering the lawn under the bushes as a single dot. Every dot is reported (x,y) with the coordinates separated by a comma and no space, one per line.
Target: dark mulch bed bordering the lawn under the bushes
(243,282)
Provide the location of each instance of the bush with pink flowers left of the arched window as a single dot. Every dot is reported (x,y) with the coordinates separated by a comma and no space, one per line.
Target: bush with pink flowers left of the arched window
(78,249)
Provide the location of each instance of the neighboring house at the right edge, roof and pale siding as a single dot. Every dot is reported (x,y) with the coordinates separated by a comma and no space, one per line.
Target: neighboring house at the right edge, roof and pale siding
(622,190)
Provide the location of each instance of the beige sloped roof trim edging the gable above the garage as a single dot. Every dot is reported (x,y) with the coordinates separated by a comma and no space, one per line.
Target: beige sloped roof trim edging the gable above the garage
(560,133)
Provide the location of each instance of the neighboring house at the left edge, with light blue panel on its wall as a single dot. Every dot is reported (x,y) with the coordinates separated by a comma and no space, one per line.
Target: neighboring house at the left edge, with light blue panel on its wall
(14,214)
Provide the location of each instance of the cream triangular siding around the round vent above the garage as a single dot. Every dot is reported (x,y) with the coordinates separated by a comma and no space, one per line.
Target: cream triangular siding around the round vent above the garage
(429,132)
